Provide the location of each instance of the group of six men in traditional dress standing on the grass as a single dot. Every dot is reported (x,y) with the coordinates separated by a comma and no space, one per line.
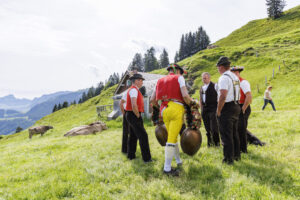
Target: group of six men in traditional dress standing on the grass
(225,108)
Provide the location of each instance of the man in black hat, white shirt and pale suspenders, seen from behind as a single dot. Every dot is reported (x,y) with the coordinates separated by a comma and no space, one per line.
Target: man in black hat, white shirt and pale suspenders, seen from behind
(228,111)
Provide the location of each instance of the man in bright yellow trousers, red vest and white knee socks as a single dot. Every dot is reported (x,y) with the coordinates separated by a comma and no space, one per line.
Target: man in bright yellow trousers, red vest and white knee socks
(171,90)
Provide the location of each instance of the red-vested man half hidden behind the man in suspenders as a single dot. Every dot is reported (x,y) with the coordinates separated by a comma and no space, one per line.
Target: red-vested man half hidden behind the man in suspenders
(245,100)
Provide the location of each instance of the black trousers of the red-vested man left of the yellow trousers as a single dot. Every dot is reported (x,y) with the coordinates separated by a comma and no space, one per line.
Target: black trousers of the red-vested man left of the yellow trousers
(137,132)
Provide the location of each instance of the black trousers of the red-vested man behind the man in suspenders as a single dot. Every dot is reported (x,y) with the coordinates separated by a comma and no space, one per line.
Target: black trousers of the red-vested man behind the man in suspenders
(242,128)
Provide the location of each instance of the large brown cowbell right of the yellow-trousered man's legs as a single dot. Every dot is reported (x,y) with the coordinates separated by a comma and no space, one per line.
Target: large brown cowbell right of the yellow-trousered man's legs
(190,141)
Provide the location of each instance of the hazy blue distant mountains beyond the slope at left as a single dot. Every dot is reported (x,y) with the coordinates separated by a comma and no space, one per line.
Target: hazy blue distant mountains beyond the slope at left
(37,108)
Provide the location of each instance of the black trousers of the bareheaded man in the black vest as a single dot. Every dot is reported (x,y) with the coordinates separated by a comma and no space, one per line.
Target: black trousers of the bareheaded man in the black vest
(211,127)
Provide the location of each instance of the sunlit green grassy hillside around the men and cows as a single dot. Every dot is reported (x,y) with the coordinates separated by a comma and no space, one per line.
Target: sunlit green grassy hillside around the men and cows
(92,167)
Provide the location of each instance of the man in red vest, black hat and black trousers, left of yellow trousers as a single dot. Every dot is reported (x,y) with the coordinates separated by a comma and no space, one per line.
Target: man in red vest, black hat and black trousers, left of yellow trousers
(134,108)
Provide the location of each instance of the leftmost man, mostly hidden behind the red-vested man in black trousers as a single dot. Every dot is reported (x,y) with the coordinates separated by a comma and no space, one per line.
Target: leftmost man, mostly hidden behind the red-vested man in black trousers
(125,123)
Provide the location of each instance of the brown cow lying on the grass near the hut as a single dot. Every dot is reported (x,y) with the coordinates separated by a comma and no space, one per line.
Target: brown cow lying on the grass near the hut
(92,128)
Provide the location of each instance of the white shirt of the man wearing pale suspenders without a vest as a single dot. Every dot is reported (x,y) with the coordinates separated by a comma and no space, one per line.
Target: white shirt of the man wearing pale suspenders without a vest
(225,83)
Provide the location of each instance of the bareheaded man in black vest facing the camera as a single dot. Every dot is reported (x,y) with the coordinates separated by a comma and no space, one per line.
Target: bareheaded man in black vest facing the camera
(208,104)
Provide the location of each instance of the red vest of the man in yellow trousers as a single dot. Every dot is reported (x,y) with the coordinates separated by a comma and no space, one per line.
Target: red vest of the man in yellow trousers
(168,88)
